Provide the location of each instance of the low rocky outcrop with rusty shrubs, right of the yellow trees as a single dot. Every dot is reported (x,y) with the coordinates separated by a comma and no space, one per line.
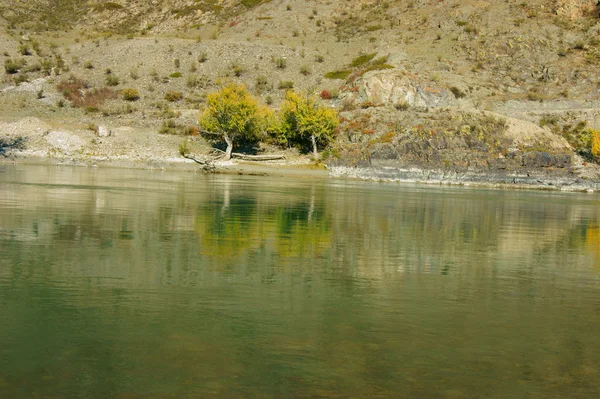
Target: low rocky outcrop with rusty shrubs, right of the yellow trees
(452,140)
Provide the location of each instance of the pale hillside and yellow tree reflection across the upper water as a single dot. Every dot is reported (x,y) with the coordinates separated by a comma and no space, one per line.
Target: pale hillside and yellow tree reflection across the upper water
(159,227)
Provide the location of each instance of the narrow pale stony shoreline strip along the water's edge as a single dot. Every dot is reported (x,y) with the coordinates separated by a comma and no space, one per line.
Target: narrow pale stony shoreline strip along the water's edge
(396,175)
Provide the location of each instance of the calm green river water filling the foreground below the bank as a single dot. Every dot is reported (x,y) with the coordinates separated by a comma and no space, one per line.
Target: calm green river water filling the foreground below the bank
(146,284)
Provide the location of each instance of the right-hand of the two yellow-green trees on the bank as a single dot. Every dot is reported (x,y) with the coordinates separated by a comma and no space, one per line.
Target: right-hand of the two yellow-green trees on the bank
(303,117)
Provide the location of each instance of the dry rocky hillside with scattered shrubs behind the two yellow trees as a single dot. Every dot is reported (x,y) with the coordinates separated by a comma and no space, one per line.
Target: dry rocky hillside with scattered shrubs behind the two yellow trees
(434,83)
